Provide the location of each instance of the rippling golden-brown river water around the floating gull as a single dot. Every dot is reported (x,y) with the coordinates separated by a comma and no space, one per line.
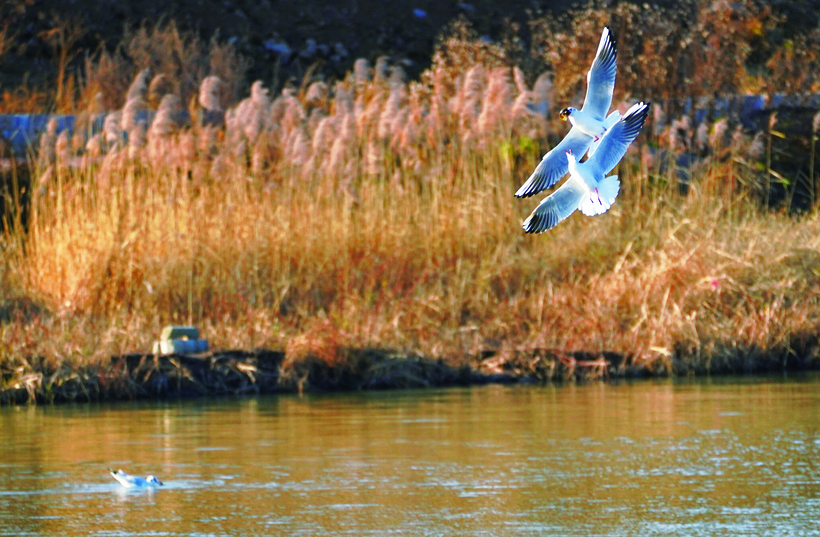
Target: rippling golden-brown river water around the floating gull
(738,457)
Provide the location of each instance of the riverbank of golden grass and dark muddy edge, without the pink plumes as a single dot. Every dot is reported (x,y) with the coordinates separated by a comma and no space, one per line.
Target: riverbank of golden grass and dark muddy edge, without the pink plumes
(663,284)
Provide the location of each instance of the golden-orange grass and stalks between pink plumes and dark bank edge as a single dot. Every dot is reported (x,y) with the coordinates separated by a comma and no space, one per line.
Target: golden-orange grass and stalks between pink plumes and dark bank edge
(407,262)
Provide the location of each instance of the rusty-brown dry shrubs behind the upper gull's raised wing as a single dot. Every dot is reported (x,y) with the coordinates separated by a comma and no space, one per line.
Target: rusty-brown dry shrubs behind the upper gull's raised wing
(689,49)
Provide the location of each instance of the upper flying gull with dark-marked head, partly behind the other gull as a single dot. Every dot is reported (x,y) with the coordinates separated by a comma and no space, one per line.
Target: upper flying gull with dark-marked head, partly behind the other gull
(589,124)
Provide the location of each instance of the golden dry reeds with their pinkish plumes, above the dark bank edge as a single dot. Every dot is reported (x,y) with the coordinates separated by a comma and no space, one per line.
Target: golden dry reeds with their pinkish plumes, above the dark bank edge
(381,214)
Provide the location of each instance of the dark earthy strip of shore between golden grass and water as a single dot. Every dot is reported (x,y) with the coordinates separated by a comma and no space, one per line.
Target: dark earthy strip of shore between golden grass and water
(263,371)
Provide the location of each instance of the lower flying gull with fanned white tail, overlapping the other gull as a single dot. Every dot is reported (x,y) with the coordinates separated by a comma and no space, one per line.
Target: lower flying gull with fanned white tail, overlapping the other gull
(587,187)
